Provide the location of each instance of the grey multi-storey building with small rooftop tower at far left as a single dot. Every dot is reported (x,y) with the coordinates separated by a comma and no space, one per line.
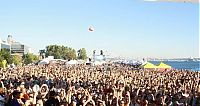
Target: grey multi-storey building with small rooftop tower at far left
(17,48)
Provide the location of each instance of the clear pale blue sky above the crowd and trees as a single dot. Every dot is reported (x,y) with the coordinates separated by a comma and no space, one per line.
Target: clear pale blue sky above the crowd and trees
(129,28)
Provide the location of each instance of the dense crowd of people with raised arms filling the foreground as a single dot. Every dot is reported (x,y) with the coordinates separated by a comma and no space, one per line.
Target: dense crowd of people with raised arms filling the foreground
(105,85)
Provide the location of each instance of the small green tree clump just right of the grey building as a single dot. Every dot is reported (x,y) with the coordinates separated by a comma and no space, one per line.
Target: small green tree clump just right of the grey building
(30,58)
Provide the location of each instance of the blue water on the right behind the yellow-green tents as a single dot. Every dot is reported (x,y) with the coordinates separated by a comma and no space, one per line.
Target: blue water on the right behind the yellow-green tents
(189,65)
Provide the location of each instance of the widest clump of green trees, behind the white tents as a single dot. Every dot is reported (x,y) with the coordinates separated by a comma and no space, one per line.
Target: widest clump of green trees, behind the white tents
(61,52)
